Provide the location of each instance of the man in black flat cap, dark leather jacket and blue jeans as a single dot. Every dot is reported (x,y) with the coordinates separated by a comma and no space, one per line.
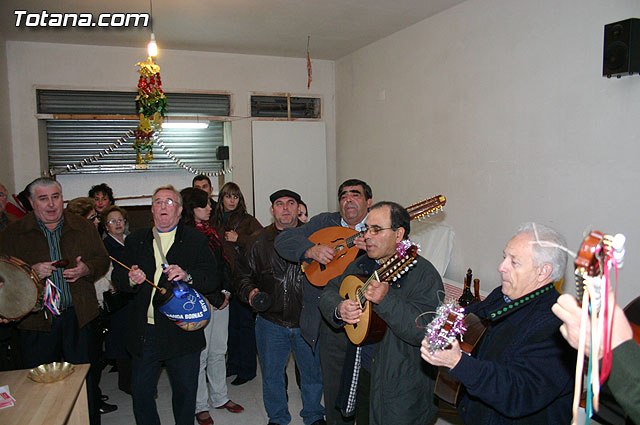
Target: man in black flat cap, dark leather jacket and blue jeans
(273,287)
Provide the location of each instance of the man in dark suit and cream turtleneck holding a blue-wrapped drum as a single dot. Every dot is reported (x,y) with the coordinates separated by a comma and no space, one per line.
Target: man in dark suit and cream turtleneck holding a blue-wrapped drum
(154,339)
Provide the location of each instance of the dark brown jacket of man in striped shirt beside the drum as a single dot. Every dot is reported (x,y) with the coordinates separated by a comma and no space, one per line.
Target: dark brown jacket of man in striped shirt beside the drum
(24,240)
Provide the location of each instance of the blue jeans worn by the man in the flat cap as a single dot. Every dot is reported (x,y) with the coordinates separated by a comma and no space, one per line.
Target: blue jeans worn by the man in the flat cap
(274,344)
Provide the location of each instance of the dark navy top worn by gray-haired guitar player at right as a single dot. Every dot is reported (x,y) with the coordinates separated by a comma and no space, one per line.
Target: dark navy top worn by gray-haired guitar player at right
(522,372)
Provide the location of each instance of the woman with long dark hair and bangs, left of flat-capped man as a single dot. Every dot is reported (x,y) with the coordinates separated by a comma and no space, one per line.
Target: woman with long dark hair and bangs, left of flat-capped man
(235,225)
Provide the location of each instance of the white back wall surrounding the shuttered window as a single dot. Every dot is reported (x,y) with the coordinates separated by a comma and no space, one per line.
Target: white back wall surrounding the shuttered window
(34,65)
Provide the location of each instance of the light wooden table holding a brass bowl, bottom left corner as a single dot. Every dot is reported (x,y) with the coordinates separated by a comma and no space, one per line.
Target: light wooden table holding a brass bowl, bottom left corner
(58,403)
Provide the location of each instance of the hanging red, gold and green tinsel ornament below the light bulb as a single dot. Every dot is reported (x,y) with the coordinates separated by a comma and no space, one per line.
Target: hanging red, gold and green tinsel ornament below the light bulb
(151,105)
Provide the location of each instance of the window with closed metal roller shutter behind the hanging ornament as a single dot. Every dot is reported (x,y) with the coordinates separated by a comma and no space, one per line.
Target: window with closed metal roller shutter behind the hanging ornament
(78,126)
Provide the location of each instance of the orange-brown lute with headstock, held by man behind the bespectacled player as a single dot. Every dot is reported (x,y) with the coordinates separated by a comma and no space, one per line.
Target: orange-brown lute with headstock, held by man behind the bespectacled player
(342,240)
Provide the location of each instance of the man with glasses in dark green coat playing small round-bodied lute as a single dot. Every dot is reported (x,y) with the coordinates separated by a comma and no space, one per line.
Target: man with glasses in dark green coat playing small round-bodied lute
(393,386)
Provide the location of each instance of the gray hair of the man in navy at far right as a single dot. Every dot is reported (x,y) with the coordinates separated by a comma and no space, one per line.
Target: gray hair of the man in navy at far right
(548,246)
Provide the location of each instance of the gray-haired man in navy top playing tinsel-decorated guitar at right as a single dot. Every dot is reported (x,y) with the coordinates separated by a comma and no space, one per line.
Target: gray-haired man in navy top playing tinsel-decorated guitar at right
(522,369)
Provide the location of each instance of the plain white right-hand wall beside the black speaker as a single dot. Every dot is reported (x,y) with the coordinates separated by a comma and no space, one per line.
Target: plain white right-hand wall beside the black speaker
(501,106)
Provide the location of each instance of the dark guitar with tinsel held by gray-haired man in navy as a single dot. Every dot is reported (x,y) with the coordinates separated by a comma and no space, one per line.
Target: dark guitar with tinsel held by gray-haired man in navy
(447,387)
